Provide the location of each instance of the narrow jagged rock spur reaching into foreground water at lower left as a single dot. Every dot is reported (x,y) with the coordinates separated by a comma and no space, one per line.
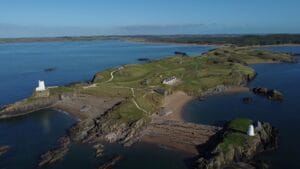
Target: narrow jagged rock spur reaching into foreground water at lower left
(56,154)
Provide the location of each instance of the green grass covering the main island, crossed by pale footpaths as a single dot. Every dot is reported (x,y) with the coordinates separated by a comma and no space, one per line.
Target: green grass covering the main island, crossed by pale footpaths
(223,66)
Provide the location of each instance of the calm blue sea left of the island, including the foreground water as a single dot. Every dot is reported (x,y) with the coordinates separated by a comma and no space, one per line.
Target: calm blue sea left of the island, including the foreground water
(23,64)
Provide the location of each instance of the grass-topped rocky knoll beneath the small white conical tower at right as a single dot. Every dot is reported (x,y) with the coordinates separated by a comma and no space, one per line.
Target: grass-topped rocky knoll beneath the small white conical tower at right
(234,147)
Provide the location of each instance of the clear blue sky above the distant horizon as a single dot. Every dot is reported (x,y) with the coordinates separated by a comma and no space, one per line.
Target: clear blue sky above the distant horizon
(36,18)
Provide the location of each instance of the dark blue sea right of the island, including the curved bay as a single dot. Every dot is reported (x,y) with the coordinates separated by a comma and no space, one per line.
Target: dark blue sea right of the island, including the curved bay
(283,115)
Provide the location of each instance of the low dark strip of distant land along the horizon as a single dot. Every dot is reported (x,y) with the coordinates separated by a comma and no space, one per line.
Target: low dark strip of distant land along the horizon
(239,40)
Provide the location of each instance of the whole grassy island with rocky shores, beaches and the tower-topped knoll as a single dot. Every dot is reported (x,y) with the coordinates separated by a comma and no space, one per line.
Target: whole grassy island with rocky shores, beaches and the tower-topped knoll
(143,102)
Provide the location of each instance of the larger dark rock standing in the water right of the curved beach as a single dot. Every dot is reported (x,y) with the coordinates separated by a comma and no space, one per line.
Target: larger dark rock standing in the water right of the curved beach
(271,94)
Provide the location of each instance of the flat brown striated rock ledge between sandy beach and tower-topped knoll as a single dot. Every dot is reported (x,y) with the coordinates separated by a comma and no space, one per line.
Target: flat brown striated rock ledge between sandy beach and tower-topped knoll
(178,134)
